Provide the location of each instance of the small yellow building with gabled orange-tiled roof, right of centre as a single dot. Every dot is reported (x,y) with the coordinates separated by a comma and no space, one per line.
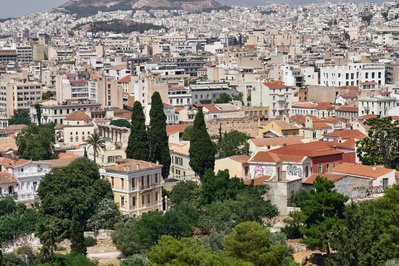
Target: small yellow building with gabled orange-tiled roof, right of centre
(277,128)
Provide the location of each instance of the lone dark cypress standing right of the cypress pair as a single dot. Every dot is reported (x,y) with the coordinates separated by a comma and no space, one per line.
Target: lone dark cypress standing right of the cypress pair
(202,150)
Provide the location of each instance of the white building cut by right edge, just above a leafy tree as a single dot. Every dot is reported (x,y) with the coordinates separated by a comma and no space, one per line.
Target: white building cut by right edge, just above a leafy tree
(378,105)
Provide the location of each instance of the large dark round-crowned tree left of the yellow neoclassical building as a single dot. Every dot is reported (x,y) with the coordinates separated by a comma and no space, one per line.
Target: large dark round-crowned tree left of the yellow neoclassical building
(72,196)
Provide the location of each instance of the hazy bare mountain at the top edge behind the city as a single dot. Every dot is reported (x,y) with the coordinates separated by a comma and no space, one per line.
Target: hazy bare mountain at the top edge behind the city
(90,7)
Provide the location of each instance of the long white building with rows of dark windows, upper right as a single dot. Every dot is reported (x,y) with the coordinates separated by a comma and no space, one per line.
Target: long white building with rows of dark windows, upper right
(352,74)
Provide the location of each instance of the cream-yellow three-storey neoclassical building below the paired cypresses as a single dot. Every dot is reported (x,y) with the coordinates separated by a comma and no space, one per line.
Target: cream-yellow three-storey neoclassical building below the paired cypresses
(137,186)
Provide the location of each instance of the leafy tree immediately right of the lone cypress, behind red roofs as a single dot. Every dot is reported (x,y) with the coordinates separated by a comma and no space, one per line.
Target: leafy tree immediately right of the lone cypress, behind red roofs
(233,143)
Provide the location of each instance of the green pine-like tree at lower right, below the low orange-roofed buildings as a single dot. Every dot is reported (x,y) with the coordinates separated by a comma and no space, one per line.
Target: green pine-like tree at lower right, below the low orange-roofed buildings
(321,210)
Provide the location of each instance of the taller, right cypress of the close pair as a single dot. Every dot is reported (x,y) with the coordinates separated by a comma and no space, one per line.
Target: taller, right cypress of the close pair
(159,142)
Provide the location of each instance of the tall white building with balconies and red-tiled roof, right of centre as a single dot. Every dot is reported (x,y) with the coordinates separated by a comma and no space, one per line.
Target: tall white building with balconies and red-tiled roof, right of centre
(275,95)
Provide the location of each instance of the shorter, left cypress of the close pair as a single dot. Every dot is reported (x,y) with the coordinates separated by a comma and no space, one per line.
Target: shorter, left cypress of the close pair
(138,144)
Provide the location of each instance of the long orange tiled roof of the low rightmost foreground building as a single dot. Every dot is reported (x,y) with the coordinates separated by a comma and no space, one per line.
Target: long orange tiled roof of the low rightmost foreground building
(361,170)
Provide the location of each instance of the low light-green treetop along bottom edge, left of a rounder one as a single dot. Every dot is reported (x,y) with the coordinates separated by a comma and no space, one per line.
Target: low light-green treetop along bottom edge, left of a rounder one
(187,251)
